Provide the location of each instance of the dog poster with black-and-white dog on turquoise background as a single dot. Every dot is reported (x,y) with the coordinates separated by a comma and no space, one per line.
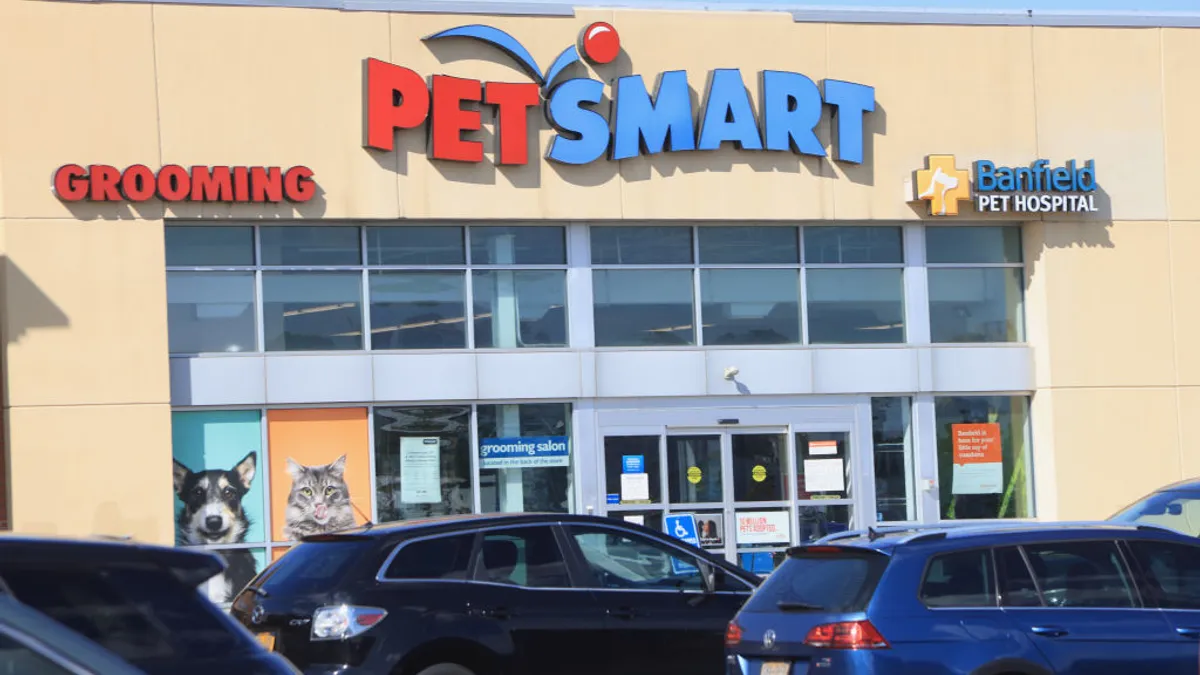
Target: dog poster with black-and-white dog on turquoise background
(219,492)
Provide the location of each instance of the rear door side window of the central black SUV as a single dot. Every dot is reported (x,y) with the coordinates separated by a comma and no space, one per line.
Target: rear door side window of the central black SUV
(523,557)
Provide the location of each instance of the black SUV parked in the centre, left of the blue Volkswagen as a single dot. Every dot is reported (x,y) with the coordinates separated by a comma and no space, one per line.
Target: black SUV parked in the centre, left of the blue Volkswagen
(497,595)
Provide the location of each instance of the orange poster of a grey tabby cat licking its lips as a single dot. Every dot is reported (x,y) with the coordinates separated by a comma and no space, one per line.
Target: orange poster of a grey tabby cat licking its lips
(321,471)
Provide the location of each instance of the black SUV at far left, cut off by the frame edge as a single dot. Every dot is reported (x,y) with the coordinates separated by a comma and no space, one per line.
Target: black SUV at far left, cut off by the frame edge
(139,602)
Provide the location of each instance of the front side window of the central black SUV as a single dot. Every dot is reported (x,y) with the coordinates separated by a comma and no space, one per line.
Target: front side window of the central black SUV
(621,560)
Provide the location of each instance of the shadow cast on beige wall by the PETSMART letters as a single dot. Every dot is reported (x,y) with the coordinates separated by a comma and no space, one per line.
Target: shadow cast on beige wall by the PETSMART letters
(644,168)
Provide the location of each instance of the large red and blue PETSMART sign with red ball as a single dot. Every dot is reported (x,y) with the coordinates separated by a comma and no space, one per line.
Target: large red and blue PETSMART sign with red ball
(637,123)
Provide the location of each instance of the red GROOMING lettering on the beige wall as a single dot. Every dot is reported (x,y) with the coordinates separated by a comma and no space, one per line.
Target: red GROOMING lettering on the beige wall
(175,183)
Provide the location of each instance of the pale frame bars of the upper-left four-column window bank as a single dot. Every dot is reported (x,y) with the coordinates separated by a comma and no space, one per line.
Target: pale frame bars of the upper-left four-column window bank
(364,268)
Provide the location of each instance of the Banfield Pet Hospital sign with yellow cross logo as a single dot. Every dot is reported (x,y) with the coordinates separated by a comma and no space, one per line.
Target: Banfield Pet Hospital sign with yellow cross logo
(1039,188)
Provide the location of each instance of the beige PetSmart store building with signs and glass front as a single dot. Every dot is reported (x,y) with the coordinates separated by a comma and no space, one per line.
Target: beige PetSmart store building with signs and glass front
(275,271)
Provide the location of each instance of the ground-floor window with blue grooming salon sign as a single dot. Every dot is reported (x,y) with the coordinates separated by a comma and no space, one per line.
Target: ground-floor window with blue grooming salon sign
(525,458)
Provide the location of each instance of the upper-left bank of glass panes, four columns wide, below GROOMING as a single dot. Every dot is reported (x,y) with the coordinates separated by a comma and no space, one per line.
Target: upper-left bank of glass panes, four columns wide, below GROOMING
(417,282)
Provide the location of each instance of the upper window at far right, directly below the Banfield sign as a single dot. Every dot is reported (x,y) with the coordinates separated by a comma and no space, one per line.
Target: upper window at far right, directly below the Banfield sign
(976,284)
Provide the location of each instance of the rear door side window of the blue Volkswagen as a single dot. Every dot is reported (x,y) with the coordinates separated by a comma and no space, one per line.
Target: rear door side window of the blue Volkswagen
(1082,575)
